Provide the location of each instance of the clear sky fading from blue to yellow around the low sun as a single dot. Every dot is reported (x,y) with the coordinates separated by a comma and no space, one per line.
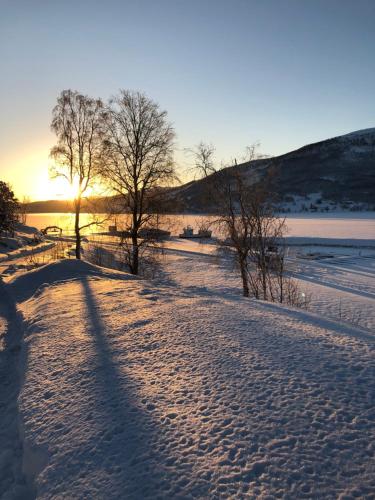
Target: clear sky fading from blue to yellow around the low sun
(284,73)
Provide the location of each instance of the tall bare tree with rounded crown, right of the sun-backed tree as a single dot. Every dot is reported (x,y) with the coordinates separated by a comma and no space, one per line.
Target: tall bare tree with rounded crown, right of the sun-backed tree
(139,164)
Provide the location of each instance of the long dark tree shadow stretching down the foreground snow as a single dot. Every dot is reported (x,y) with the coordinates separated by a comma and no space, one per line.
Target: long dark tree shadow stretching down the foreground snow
(124,444)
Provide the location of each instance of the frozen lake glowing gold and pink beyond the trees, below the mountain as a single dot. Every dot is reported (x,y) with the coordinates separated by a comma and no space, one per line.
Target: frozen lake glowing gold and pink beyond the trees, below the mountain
(340,225)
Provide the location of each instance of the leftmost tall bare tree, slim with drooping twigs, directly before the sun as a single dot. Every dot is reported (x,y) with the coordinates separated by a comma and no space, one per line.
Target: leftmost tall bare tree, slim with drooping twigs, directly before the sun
(78,125)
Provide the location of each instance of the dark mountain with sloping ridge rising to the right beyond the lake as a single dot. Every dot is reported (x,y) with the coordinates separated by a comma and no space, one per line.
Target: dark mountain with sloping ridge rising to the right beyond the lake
(334,174)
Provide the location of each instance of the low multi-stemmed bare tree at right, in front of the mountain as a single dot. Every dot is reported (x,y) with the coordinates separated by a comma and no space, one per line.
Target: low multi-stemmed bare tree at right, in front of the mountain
(251,229)
